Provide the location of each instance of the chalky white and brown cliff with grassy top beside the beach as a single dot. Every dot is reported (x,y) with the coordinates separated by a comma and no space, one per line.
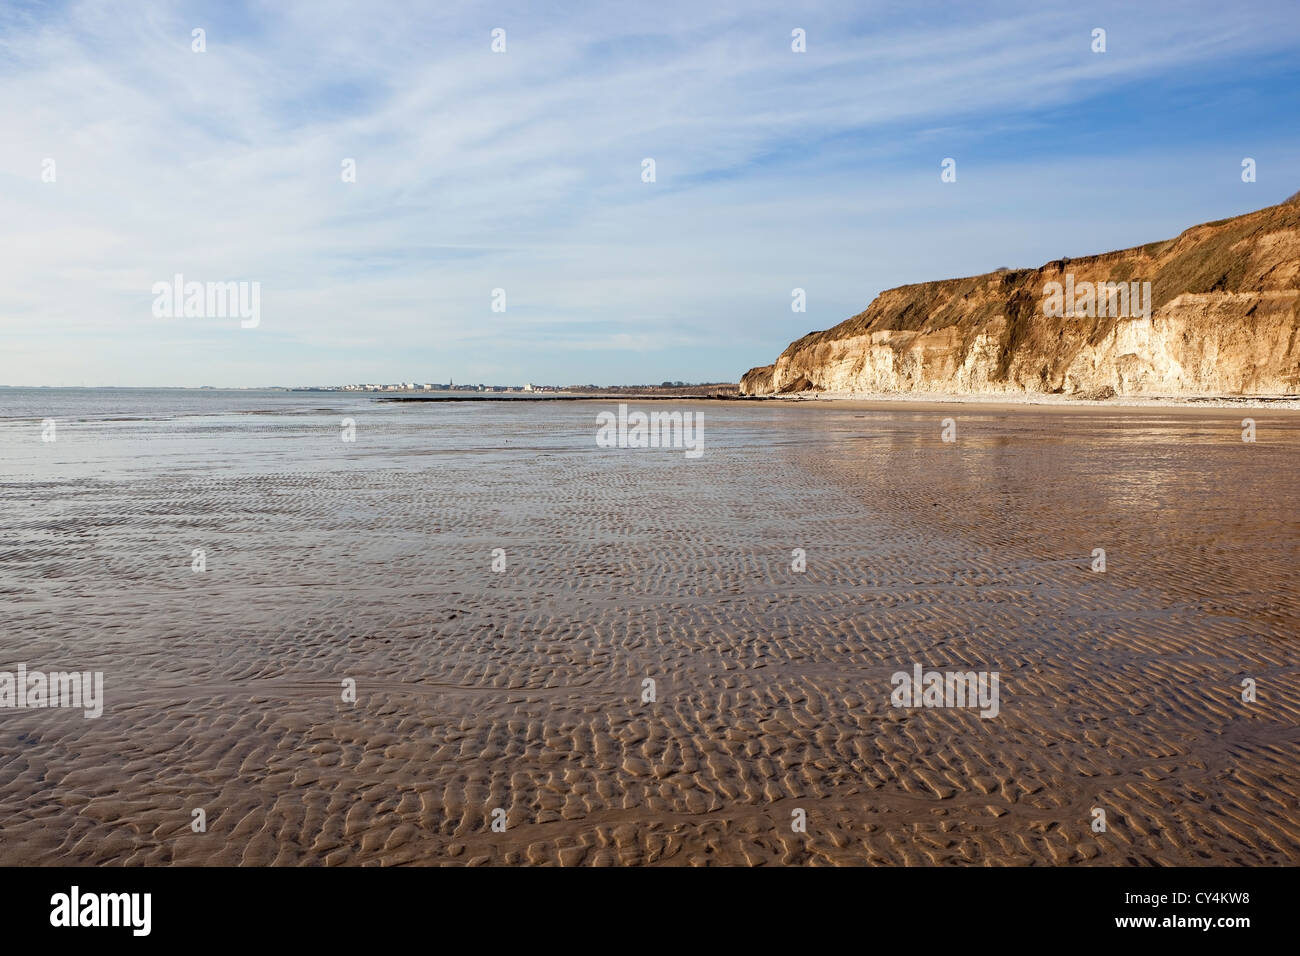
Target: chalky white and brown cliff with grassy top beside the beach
(1224,319)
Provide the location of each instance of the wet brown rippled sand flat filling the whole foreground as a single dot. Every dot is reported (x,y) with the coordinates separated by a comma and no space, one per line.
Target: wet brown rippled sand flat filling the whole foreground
(523,690)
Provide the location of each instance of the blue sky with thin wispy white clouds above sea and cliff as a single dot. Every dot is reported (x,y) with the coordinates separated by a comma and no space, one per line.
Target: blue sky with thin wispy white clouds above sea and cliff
(129,157)
